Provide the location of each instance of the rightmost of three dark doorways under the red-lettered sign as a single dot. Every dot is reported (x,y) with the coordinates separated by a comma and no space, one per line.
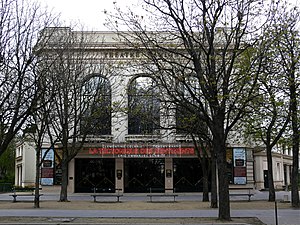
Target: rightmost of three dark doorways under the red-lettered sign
(188,175)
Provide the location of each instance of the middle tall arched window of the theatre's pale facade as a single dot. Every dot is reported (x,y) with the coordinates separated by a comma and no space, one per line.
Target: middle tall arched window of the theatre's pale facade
(144,106)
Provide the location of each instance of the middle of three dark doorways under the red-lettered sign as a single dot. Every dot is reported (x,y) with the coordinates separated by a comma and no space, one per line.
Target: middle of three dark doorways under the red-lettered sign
(143,174)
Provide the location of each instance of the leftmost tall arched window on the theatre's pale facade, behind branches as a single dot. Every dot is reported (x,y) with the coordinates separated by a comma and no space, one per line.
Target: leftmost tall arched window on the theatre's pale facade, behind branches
(97,106)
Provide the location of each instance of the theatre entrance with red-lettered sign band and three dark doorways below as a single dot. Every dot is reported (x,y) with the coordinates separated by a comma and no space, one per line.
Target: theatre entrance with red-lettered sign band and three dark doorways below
(136,168)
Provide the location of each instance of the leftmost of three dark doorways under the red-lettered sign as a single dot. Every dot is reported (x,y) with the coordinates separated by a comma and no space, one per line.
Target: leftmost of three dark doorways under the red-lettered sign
(94,175)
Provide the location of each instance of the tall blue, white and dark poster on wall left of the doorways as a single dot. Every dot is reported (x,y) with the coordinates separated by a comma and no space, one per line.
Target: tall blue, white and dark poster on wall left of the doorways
(47,168)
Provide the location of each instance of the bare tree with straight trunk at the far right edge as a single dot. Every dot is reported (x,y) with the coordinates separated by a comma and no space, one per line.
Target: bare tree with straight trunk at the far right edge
(287,44)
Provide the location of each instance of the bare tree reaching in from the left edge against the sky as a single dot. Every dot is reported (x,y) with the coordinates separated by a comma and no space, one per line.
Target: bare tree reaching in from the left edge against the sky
(20,22)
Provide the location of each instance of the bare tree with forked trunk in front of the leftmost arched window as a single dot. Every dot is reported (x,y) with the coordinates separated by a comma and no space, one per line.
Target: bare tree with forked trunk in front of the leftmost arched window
(81,99)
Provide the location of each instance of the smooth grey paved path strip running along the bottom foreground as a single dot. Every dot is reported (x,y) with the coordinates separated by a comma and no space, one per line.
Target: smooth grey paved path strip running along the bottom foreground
(288,217)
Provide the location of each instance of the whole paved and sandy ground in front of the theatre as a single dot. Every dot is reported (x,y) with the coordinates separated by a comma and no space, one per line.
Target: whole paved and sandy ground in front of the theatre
(135,209)
